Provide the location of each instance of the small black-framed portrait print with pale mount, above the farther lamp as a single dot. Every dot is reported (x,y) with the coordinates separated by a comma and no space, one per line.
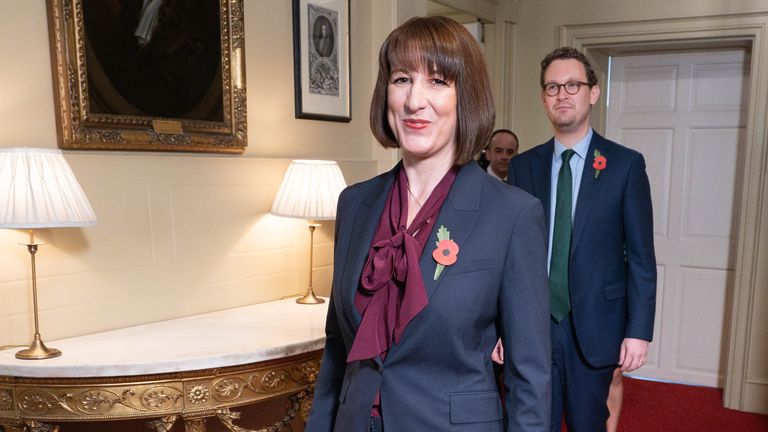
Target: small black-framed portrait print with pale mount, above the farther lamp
(321,59)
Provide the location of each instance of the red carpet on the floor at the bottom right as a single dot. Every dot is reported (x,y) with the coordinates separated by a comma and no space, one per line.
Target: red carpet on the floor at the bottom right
(651,406)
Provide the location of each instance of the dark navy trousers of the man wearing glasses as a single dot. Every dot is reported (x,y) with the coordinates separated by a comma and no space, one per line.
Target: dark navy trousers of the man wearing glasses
(579,390)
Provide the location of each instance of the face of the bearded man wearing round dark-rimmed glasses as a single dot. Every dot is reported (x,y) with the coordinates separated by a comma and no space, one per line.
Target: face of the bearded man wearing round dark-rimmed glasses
(568,113)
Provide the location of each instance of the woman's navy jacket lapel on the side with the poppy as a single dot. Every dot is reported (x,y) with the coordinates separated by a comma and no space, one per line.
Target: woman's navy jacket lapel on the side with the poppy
(458,214)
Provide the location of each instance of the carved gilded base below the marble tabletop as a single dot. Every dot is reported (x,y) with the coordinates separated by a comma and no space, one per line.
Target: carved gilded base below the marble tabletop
(195,397)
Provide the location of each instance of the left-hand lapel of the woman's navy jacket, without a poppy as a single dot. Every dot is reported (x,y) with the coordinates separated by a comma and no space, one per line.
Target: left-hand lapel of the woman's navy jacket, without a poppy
(365,223)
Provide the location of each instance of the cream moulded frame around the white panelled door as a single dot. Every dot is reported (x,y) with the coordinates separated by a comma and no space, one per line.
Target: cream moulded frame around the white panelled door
(750,31)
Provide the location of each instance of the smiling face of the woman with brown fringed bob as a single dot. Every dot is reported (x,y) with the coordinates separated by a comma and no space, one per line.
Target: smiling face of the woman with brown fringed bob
(421,109)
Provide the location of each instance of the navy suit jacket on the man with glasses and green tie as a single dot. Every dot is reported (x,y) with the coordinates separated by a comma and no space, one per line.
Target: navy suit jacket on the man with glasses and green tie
(612,271)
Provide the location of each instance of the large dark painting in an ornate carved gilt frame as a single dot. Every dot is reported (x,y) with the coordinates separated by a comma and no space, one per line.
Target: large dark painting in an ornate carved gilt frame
(158,75)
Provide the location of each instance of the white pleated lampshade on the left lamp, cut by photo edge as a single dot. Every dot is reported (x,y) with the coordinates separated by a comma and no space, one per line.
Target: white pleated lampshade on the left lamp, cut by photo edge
(39,190)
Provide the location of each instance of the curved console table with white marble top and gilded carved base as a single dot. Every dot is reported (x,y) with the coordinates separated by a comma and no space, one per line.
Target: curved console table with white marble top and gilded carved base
(191,370)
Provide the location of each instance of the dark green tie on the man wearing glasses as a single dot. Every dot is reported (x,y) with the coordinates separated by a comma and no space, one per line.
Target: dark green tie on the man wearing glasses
(561,241)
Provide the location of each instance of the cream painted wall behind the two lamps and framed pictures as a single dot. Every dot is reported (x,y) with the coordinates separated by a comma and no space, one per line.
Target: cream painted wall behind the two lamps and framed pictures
(178,234)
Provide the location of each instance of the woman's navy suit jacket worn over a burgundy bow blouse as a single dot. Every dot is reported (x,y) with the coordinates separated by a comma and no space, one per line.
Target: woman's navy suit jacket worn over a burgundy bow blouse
(440,377)
